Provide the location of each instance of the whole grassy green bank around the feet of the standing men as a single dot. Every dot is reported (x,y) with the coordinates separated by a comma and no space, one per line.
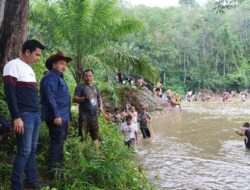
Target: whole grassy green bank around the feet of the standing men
(112,167)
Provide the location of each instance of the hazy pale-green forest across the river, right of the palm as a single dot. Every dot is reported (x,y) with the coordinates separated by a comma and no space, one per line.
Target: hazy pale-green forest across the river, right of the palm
(196,48)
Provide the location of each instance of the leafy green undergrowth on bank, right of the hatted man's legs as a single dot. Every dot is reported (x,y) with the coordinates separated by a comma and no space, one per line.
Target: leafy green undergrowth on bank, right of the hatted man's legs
(113,166)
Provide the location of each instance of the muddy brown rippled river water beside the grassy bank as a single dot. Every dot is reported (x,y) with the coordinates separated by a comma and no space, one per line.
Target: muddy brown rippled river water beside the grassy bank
(197,148)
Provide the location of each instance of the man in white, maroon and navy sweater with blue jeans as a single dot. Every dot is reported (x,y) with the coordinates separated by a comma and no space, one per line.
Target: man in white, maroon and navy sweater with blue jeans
(21,94)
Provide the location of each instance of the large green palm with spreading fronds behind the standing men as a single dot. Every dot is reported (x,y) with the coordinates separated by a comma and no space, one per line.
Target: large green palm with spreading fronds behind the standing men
(88,30)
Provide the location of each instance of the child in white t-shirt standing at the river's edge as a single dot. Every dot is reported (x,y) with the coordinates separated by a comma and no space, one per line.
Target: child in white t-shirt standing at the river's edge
(129,130)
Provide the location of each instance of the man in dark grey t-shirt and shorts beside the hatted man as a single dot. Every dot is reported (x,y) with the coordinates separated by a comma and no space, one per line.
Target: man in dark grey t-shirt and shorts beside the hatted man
(88,97)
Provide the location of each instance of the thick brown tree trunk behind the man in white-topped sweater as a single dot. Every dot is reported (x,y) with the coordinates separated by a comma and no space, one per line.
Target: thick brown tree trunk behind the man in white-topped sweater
(13,29)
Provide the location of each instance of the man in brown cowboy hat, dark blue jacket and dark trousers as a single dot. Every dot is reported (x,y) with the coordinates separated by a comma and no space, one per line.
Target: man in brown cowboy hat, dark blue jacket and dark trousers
(55,107)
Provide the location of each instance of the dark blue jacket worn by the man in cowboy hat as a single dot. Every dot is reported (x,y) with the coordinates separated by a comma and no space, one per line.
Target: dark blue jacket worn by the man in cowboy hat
(55,97)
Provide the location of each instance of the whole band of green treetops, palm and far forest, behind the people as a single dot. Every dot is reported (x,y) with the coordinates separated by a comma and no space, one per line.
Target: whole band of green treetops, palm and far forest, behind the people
(188,47)
